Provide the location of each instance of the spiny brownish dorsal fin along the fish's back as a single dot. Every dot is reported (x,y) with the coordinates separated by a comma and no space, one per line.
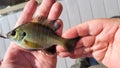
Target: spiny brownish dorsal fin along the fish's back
(44,21)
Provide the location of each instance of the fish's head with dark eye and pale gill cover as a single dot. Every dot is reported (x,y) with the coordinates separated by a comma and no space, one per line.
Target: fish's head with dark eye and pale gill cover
(16,35)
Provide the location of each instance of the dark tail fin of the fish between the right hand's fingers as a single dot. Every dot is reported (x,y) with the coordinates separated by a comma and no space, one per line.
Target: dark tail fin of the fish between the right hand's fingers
(70,44)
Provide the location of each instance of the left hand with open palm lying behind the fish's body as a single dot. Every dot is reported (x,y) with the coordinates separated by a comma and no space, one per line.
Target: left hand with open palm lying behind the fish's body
(17,57)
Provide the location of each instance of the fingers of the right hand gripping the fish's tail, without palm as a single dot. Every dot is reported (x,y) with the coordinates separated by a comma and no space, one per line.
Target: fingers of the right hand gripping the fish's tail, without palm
(87,31)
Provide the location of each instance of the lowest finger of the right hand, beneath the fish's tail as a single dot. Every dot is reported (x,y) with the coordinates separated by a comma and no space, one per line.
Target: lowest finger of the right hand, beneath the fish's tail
(78,52)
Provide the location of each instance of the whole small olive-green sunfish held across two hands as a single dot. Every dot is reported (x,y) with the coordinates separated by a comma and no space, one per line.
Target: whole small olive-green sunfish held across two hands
(40,34)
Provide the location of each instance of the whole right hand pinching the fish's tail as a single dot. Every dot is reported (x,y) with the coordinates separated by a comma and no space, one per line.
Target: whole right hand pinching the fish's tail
(100,38)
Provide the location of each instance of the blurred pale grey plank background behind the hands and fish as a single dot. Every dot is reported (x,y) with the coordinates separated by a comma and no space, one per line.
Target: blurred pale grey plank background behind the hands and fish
(74,13)
